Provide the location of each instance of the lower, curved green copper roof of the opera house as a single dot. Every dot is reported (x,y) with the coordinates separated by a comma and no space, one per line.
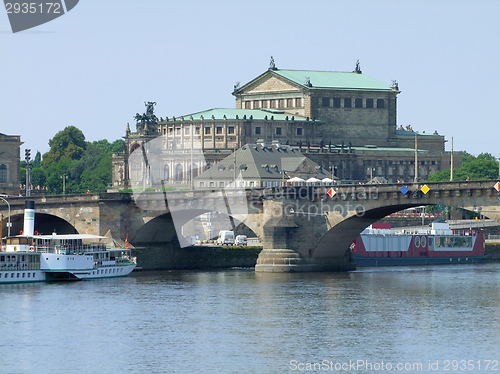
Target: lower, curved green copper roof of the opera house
(231,113)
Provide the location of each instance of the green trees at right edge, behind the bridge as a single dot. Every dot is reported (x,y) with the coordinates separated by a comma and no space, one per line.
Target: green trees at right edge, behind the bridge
(484,166)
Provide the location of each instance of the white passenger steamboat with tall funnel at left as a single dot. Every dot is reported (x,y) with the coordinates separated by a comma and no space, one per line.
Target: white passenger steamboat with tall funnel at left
(38,258)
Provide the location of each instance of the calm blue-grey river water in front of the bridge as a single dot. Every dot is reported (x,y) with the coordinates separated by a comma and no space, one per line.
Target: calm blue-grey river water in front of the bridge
(418,319)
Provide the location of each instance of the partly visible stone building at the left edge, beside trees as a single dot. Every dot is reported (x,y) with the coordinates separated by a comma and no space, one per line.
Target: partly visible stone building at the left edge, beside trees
(10,148)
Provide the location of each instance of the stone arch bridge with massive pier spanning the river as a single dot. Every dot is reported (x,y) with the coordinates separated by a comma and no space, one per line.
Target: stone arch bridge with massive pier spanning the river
(301,228)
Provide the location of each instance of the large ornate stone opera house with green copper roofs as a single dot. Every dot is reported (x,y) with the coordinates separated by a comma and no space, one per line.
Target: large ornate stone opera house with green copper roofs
(345,121)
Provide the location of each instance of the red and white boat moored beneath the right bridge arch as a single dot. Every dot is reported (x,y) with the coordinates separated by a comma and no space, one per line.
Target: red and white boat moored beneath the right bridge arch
(379,245)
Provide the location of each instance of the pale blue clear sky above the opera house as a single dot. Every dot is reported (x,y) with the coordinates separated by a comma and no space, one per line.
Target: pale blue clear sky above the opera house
(95,66)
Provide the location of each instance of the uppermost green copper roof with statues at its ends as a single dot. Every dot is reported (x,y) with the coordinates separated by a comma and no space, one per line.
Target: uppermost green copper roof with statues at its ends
(333,79)
